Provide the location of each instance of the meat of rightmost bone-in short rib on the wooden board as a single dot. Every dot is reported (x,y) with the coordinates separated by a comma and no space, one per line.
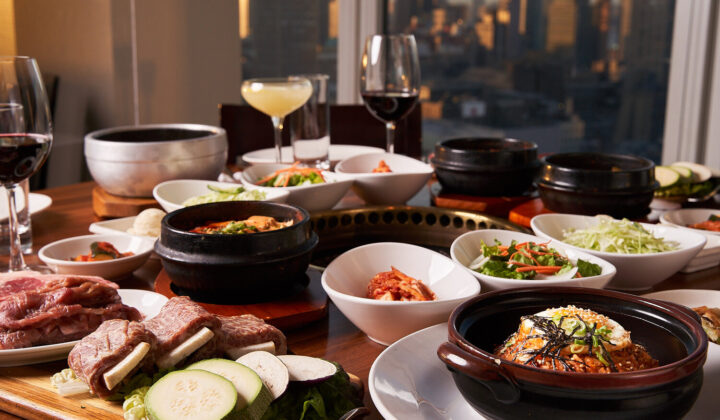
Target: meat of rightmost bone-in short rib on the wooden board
(239,332)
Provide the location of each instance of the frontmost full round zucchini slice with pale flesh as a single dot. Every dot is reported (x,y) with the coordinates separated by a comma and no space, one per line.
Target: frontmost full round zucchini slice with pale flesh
(191,394)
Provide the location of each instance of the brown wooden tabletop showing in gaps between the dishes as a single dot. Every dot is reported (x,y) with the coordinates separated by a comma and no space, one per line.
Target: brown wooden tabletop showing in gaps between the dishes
(333,338)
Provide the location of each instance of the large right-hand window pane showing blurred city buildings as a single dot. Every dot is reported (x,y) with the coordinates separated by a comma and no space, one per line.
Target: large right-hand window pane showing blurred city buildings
(570,75)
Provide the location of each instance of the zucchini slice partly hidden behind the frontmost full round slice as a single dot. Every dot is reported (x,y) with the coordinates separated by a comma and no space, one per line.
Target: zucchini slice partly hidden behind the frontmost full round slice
(253,396)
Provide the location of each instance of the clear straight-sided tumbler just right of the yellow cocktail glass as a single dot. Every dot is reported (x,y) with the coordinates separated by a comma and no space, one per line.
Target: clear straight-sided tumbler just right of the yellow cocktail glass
(310,126)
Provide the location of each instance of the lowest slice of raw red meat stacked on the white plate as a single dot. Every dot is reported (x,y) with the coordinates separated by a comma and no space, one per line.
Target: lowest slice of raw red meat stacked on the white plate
(73,323)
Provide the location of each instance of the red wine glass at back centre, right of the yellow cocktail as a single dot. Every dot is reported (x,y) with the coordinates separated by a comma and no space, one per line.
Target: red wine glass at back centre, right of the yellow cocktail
(390,79)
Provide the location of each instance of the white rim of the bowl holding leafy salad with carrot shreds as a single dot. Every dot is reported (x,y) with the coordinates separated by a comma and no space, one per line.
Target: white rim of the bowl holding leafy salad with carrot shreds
(529,282)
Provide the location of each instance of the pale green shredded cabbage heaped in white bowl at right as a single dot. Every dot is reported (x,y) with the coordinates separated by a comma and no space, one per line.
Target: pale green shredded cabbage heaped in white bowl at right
(618,236)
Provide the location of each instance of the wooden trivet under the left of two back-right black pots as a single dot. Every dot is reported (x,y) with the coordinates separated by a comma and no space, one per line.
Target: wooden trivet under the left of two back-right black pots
(496,206)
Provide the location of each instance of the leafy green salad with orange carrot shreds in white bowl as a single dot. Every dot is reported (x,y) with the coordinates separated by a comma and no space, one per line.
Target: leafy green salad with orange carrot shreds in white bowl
(529,261)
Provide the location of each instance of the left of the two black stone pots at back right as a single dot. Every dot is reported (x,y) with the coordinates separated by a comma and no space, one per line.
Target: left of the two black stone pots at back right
(486,166)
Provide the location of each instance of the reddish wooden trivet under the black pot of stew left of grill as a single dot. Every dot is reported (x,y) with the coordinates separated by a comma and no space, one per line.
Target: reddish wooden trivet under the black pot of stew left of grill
(302,308)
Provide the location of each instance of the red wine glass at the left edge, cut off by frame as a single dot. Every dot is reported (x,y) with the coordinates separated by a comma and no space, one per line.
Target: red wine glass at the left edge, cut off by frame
(25,136)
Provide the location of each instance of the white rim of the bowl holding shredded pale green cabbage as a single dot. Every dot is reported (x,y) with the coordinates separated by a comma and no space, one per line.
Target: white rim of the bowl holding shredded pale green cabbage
(699,239)
